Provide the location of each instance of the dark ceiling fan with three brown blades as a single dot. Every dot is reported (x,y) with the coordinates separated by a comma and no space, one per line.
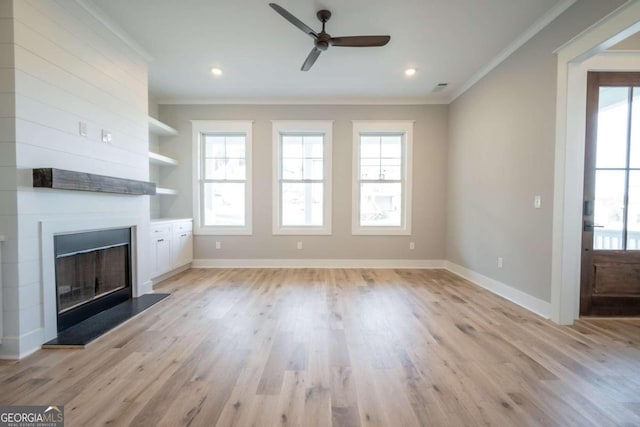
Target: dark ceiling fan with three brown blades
(323,40)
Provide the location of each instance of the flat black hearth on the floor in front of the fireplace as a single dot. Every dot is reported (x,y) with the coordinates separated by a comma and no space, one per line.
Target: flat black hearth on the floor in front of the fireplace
(88,330)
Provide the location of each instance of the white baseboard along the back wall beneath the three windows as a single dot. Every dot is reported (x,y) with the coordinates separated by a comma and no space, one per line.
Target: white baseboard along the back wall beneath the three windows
(318,263)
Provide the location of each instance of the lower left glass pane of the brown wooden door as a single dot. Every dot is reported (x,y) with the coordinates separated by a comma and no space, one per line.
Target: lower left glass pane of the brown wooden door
(609,209)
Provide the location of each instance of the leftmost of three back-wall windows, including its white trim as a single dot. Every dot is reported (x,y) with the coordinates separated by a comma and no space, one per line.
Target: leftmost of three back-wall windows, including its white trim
(222,171)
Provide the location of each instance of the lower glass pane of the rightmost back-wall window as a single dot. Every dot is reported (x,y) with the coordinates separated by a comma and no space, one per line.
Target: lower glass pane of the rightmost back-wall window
(380,204)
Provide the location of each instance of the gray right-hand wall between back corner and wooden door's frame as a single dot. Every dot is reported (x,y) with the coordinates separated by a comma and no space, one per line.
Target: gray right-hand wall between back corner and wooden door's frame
(501,154)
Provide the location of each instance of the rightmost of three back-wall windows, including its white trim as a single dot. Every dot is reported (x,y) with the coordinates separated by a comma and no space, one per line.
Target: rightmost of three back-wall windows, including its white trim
(382,177)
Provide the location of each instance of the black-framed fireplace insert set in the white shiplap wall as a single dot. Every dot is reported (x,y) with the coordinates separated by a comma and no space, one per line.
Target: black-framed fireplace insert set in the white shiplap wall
(92,273)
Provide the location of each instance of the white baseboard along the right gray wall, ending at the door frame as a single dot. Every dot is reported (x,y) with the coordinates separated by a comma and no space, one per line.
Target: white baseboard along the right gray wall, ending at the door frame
(531,303)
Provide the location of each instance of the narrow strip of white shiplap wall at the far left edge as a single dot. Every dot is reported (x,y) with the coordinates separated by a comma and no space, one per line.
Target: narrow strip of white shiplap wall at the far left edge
(8,205)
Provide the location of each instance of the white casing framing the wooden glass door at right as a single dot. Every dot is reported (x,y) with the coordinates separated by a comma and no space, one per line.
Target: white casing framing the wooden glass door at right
(582,54)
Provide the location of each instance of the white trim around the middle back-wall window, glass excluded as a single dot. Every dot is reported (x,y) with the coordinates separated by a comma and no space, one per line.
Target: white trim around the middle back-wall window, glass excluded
(303,126)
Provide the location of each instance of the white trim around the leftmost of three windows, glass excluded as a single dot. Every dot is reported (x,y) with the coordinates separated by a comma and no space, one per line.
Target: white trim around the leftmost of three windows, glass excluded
(200,127)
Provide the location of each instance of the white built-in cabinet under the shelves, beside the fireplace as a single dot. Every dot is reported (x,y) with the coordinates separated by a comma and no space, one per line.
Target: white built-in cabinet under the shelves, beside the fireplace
(171,245)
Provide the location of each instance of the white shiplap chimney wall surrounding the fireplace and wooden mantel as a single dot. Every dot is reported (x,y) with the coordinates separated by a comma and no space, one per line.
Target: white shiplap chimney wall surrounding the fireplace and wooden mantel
(69,68)
